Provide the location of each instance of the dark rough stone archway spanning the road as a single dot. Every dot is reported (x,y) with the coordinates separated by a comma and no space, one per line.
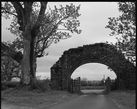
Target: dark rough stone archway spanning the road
(102,53)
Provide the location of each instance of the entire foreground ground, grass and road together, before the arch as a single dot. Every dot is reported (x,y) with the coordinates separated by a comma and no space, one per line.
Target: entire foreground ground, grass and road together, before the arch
(64,100)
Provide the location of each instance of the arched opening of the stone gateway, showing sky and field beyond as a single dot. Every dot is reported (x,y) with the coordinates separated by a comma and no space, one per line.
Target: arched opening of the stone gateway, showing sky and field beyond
(93,77)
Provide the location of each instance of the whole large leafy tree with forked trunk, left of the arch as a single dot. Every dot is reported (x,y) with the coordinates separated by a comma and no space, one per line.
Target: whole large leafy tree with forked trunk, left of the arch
(37,28)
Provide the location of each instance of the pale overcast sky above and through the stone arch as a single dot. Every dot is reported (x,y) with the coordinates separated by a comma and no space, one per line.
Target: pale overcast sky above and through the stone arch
(93,19)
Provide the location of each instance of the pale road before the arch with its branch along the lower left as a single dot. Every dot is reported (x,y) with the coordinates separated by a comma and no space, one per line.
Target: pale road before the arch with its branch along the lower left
(90,101)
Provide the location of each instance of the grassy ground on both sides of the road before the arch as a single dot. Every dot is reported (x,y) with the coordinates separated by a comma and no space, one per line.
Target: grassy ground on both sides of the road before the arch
(24,99)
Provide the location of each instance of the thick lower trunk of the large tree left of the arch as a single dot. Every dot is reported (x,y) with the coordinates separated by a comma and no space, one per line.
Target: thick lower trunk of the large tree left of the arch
(29,60)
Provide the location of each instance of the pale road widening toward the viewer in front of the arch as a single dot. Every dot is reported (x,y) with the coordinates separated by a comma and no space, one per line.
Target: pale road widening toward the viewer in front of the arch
(89,101)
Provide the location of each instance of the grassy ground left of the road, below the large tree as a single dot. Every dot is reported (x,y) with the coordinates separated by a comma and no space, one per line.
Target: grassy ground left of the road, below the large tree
(23,99)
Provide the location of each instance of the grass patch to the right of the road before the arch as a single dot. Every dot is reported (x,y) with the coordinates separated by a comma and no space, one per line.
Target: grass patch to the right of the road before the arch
(124,99)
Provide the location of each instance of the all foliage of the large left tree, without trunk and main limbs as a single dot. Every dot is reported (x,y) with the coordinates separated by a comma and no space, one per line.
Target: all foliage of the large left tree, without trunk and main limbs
(58,23)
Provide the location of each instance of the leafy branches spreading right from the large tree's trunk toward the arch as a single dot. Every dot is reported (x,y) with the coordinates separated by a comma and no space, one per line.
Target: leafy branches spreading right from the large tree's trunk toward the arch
(58,24)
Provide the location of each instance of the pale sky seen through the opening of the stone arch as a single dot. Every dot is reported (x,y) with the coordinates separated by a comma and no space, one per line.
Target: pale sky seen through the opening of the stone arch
(93,72)
